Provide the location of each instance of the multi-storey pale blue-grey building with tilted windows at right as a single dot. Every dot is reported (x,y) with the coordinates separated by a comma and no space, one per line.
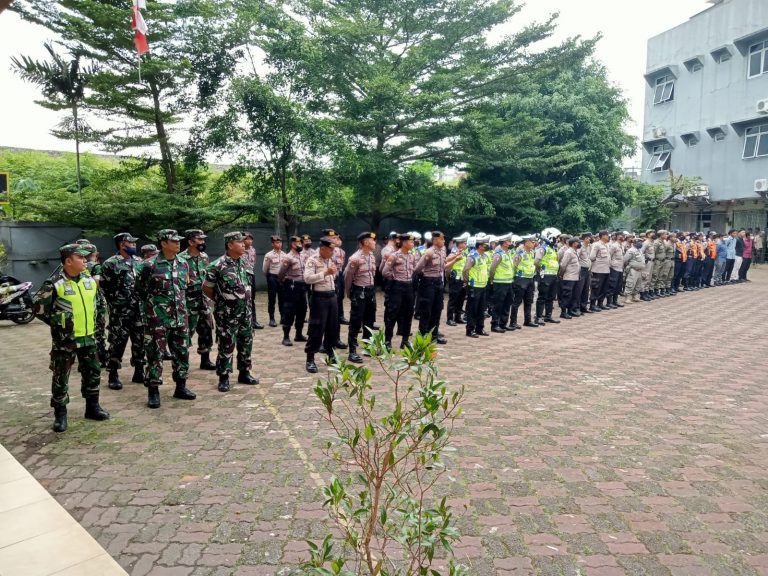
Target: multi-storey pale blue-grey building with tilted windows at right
(706,115)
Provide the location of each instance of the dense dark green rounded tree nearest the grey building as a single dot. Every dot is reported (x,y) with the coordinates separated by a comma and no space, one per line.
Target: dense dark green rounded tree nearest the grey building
(550,154)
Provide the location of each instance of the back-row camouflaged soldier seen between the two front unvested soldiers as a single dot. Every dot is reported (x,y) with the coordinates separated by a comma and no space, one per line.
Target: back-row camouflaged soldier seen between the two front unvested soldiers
(200,317)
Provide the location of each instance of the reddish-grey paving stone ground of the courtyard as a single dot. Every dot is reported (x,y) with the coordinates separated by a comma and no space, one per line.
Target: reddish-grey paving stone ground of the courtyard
(626,442)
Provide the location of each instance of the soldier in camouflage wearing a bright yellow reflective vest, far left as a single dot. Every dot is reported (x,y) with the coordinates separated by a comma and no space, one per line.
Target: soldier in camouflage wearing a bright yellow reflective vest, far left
(67,303)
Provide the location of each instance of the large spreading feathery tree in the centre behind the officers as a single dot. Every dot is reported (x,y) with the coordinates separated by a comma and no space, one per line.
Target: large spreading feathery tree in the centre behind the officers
(394,79)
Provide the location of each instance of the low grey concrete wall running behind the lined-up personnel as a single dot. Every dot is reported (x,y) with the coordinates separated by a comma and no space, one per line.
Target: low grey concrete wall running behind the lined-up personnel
(32,247)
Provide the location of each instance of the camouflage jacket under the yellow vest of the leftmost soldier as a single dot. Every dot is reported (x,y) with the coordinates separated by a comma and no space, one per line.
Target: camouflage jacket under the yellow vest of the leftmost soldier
(58,313)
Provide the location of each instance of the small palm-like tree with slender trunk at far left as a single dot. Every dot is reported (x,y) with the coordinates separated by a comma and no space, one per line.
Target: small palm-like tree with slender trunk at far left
(63,85)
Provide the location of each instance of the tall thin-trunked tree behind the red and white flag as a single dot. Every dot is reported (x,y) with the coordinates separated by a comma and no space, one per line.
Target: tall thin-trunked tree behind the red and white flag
(138,115)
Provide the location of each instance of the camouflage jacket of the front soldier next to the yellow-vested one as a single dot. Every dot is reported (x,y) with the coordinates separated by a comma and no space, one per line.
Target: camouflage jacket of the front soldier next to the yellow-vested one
(162,284)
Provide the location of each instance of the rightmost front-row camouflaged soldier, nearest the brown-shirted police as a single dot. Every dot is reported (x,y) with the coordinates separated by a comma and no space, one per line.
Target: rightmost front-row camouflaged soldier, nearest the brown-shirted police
(228,285)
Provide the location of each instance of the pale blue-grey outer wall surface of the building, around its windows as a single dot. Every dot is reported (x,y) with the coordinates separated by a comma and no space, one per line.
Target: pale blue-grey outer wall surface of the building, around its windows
(720,94)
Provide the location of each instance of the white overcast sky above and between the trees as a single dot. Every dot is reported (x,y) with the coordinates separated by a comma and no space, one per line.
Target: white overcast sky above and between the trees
(626,26)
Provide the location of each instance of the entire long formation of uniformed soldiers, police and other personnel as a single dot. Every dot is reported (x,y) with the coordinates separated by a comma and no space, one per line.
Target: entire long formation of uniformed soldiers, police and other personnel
(160,300)
